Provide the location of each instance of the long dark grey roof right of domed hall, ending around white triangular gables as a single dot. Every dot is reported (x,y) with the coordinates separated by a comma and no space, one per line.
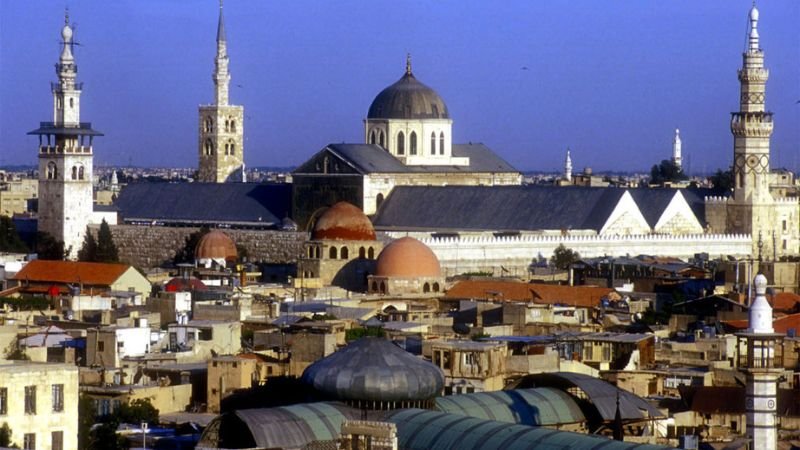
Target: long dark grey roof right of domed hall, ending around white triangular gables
(517,208)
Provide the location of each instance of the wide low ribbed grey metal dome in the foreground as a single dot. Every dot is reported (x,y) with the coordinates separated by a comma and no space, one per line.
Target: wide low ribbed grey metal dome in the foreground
(374,369)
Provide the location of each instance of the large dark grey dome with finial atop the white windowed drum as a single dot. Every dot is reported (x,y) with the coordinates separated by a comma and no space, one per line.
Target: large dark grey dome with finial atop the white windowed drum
(408,99)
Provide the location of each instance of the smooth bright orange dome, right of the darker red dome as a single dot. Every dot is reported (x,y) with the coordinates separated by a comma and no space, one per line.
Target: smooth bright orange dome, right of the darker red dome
(407,257)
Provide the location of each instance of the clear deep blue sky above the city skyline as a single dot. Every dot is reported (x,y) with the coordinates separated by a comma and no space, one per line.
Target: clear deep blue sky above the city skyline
(609,79)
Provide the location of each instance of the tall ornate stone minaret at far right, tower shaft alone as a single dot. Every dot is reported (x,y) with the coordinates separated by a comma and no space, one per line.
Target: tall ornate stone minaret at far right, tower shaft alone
(750,210)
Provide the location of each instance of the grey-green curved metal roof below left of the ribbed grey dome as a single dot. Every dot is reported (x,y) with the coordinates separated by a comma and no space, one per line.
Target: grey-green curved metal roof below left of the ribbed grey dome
(297,425)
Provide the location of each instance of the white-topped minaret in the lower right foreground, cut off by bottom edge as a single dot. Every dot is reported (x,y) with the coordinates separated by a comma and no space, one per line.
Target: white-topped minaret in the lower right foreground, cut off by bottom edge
(760,352)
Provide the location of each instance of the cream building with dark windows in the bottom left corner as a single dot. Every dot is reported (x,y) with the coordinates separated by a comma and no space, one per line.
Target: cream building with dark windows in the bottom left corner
(39,402)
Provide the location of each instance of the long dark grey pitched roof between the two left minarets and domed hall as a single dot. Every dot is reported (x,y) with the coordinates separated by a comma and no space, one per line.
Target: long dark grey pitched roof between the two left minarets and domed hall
(234,204)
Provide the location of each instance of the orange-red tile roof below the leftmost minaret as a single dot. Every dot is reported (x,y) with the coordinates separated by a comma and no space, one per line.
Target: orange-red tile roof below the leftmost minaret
(96,274)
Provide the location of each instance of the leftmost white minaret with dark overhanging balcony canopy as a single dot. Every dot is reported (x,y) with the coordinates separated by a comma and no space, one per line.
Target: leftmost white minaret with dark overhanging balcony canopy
(65,157)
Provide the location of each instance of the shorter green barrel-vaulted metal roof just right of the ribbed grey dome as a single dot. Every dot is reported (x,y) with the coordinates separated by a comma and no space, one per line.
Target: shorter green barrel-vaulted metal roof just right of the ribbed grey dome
(538,406)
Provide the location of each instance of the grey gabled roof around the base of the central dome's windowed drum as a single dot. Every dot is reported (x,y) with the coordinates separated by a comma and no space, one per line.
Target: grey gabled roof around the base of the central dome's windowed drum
(369,158)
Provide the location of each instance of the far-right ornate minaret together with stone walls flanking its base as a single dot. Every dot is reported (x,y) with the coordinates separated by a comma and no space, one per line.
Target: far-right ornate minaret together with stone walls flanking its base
(759,206)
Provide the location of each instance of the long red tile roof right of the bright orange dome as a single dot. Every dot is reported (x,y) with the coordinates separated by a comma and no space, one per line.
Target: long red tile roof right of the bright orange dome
(583,296)
